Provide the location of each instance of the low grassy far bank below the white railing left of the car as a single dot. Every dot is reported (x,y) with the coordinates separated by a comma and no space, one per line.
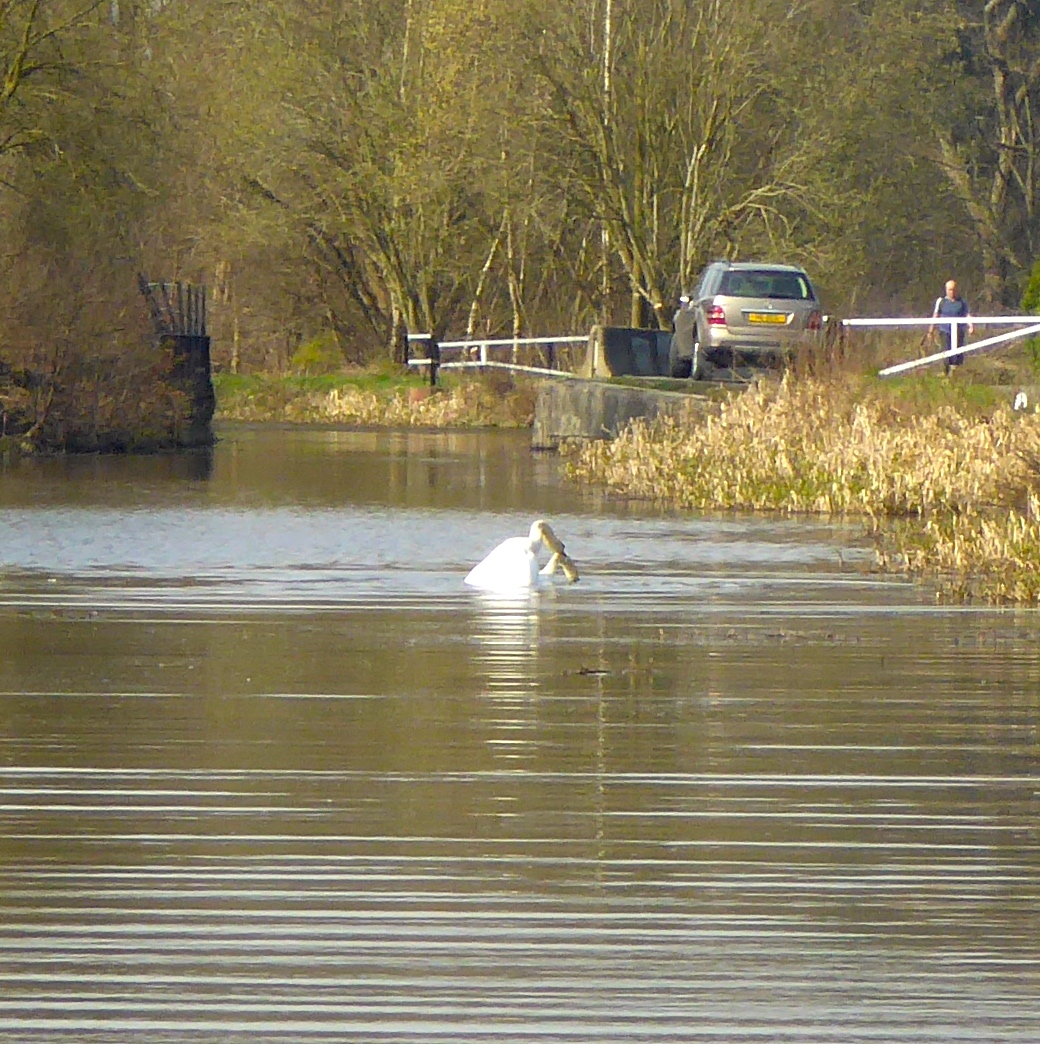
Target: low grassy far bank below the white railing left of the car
(372,398)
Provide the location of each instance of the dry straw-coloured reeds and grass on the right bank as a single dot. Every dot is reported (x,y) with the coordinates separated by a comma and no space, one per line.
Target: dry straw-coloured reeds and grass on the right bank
(948,477)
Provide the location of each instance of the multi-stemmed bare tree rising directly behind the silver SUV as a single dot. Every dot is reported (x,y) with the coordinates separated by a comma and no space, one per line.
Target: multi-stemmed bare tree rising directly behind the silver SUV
(694,148)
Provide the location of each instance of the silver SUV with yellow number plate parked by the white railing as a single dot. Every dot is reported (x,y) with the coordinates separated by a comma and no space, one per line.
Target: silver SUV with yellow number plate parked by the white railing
(744,314)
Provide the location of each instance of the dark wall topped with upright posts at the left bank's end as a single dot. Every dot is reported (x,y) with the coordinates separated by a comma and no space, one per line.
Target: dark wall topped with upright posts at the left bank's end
(179,318)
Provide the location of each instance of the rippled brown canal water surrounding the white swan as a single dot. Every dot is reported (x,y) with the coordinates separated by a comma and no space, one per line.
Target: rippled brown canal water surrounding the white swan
(270,772)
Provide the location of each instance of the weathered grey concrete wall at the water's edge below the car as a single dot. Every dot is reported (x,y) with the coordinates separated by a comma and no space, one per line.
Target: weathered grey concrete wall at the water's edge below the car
(595,410)
